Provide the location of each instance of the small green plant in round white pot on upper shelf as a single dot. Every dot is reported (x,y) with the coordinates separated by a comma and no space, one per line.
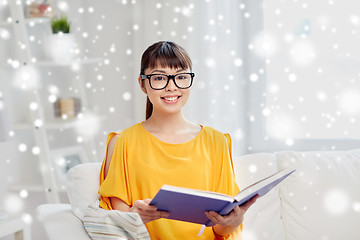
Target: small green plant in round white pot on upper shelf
(61,42)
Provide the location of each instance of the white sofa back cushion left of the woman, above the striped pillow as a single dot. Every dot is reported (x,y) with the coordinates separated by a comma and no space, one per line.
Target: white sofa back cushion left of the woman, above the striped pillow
(82,185)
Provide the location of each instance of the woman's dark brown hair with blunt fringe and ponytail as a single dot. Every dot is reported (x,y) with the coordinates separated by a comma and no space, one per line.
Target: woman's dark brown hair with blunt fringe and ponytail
(165,54)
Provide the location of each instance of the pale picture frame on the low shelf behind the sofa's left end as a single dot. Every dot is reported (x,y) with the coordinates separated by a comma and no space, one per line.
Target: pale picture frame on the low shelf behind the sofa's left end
(66,158)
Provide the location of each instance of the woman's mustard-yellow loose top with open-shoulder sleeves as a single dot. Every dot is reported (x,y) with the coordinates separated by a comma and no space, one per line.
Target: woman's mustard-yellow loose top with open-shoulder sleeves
(141,164)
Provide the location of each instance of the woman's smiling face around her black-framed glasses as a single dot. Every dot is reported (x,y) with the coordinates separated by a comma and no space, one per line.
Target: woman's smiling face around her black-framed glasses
(169,100)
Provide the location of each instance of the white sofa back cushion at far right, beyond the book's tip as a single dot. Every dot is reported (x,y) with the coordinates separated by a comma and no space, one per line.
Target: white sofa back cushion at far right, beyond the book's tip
(320,201)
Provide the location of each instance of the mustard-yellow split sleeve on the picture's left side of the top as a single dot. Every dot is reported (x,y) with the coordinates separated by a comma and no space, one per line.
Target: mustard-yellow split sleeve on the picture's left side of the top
(116,183)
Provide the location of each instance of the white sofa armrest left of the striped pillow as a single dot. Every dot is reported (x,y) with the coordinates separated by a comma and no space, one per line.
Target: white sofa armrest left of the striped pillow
(60,223)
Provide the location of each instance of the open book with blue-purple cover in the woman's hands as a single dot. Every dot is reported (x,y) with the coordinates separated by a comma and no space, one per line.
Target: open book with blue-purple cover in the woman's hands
(190,205)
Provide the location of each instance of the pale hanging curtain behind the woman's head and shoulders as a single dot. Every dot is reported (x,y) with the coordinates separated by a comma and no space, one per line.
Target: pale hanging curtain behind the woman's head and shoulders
(214,33)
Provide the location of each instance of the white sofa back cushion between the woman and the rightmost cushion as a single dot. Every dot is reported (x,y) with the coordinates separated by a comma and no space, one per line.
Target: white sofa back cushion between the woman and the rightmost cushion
(262,220)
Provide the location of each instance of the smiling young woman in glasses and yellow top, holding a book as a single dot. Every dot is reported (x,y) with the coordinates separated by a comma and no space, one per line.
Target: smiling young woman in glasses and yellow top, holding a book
(166,148)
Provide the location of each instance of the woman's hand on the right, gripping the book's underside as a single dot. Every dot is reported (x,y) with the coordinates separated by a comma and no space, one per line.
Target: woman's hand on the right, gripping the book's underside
(229,223)
